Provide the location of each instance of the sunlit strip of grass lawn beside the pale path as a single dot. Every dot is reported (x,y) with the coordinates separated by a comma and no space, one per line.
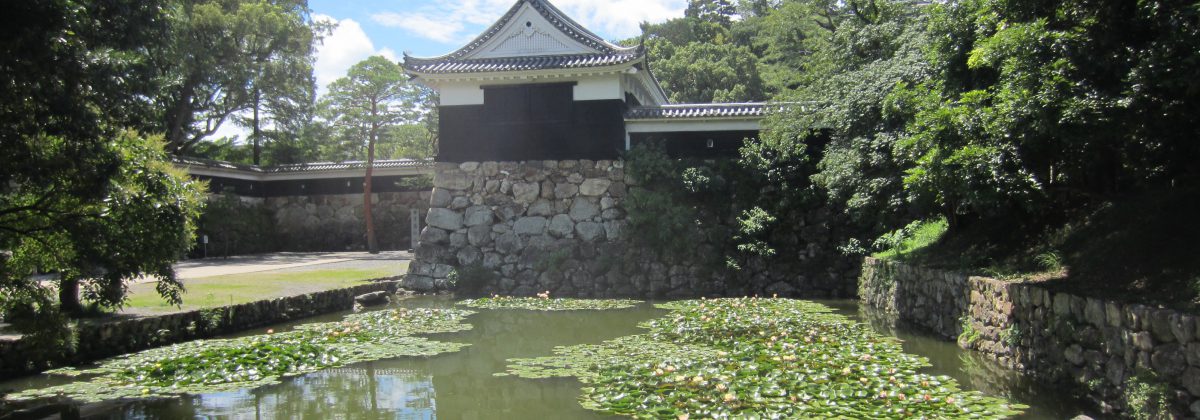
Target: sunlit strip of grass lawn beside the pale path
(241,289)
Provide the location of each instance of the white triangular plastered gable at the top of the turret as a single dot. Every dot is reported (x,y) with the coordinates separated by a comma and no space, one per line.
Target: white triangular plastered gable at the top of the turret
(529,34)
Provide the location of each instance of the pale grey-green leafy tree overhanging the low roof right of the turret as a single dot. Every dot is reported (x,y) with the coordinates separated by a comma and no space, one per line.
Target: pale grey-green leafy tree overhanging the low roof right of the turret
(842,131)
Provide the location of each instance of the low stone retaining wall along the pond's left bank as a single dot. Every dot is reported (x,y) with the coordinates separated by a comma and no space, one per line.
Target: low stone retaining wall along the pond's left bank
(100,340)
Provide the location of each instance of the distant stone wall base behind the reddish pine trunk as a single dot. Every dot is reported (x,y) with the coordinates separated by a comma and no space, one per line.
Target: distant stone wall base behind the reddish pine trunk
(334,223)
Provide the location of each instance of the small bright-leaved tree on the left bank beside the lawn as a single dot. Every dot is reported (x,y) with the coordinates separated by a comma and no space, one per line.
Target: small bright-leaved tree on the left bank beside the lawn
(145,225)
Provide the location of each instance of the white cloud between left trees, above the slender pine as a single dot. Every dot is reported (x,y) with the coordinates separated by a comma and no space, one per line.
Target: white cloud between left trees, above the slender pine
(345,47)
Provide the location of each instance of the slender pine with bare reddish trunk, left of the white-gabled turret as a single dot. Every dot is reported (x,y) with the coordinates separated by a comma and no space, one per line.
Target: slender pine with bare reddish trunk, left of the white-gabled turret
(368,106)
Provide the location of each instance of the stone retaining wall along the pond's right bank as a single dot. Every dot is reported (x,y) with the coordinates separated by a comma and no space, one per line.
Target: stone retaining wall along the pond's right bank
(1094,345)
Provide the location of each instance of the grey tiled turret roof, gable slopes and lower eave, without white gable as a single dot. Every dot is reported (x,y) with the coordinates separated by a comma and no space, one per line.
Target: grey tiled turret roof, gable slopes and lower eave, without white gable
(454,63)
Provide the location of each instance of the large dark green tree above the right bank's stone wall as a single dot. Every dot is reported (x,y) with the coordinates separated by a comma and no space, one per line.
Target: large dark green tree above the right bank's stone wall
(1055,106)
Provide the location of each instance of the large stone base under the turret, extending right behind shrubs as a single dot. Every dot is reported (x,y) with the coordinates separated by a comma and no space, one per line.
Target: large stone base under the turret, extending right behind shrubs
(561,226)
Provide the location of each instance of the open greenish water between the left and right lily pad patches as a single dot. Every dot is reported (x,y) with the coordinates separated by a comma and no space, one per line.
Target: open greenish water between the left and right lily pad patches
(458,386)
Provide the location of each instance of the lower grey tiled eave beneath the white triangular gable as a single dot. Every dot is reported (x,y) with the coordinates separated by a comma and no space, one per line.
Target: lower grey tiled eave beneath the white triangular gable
(519,63)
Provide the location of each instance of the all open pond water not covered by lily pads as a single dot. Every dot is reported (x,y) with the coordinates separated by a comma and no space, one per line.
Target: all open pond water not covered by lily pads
(464,386)
